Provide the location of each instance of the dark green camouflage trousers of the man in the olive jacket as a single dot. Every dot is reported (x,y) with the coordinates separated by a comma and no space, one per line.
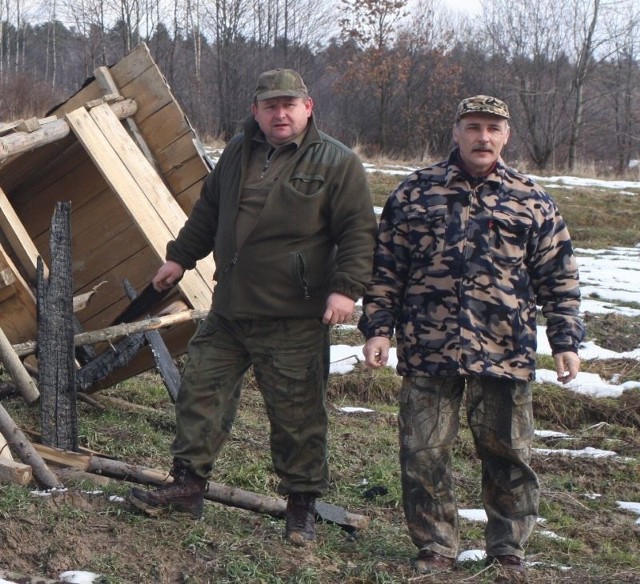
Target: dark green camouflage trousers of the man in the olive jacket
(290,359)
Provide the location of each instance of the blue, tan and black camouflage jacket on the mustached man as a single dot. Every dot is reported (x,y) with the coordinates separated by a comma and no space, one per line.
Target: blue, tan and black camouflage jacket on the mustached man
(458,272)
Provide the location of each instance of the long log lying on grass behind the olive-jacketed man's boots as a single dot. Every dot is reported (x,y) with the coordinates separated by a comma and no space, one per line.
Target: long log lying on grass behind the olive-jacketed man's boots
(217,492)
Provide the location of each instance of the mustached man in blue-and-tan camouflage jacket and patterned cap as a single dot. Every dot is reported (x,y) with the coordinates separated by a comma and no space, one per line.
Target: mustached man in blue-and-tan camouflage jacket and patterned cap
(466,249)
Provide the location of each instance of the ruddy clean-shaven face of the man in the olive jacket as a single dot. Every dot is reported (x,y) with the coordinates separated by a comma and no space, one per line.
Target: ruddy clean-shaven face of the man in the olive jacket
(282,119)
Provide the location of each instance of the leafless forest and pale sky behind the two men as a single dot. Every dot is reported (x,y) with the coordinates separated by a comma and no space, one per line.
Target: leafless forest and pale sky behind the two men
(386,75)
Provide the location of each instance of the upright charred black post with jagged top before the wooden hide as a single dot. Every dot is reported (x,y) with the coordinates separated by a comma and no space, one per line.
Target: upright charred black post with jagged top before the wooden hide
(55,353)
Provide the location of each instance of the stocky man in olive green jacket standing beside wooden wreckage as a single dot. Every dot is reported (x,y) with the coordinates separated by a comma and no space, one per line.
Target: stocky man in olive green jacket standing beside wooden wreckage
(288,215)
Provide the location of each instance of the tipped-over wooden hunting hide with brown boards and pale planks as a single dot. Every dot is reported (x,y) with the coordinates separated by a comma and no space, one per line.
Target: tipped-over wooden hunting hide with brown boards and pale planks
(125,157)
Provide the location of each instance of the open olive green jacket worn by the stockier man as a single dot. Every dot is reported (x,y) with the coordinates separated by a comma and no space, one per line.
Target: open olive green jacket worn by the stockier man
(314,236)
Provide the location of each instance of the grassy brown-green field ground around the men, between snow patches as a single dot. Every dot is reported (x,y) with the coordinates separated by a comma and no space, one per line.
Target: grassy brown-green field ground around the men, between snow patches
(585,538)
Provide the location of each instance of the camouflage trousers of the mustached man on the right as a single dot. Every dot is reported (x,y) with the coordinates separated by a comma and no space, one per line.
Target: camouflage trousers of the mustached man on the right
(500,416)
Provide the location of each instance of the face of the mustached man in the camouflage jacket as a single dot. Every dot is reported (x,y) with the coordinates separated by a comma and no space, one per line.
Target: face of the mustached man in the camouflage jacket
(481,138)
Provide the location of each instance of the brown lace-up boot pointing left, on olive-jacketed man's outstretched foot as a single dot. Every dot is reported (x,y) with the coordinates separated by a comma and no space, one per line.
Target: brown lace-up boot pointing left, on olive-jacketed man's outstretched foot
(184,495)
